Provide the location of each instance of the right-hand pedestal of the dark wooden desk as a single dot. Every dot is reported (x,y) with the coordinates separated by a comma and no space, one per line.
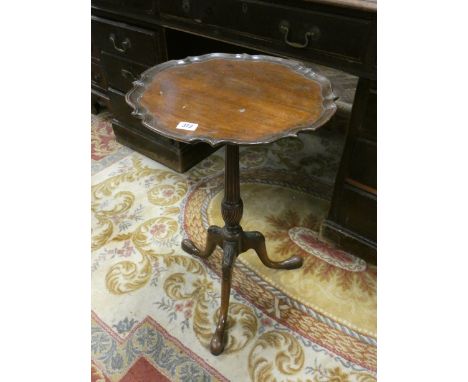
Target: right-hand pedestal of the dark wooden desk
(352,219)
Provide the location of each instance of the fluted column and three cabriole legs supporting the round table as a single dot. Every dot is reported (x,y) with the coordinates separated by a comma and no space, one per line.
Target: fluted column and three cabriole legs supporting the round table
(234,241)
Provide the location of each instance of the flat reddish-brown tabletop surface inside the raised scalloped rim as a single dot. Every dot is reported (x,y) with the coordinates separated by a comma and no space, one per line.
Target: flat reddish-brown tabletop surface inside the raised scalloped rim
(232,100)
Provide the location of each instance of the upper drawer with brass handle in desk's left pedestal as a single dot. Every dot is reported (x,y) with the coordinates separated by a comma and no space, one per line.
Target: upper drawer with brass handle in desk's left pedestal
(126,41)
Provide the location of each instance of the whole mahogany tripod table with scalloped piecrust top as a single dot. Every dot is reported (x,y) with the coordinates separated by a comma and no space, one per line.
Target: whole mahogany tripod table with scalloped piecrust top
(193,100)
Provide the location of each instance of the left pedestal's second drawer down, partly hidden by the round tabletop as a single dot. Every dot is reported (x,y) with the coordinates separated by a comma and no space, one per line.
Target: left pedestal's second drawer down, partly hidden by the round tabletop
(121,73)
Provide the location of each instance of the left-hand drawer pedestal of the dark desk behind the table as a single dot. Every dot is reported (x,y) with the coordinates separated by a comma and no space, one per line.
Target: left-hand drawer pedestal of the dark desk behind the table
(121,53)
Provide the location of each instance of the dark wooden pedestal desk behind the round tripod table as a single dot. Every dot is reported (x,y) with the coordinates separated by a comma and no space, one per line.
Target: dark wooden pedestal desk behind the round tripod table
(131,35)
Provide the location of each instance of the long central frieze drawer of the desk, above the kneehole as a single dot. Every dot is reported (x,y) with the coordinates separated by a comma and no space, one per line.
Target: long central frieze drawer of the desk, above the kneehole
(292,31)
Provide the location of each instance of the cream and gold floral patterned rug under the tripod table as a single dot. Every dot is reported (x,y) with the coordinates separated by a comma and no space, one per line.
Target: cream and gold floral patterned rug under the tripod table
(154,307)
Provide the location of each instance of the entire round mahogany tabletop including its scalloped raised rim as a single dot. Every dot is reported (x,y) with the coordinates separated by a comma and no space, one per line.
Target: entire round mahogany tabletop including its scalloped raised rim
(231,98)
